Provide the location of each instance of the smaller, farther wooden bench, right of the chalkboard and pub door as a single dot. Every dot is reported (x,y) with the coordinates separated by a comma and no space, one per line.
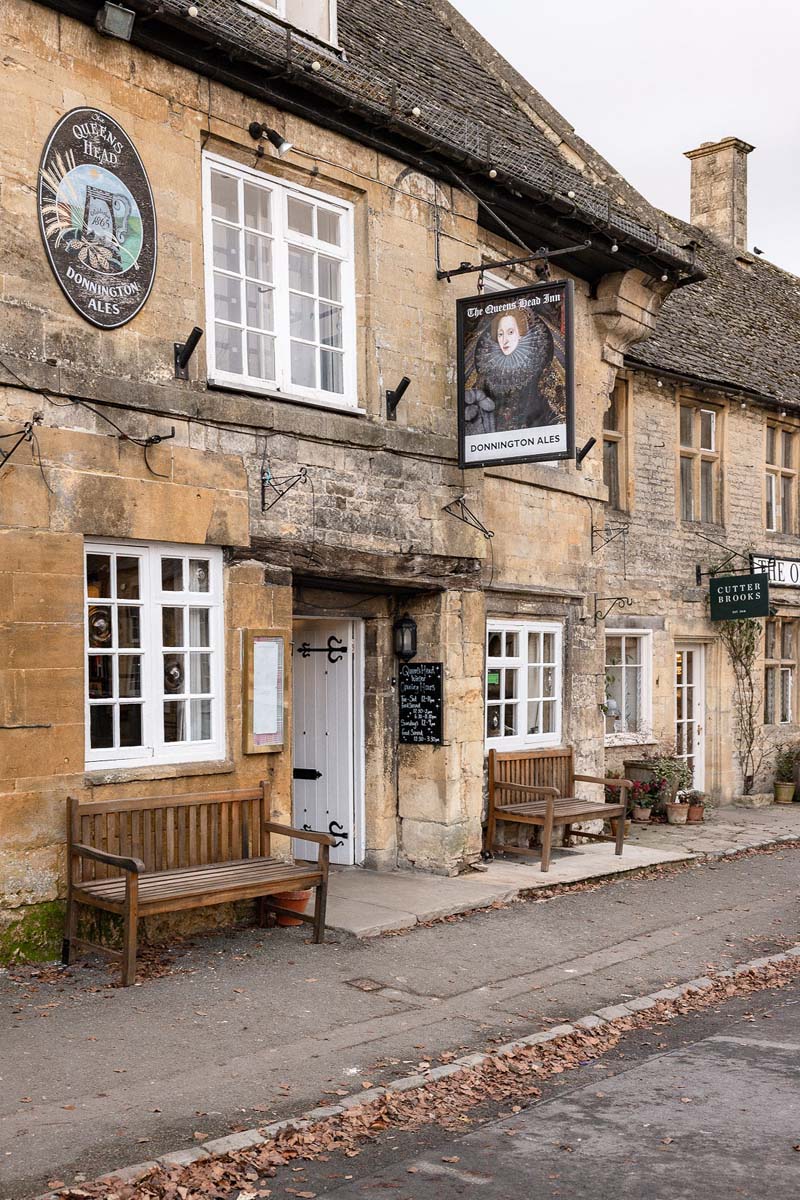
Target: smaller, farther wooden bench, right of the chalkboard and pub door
(538,788)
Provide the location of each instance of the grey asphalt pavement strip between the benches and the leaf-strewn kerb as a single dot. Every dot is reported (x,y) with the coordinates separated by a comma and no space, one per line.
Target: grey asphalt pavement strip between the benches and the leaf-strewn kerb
(258,1025)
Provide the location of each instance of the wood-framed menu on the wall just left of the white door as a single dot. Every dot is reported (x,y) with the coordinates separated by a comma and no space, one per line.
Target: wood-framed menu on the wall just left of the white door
(264,691)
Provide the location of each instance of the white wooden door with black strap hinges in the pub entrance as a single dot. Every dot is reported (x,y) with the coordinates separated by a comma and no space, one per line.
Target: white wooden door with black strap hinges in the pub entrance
(324,691)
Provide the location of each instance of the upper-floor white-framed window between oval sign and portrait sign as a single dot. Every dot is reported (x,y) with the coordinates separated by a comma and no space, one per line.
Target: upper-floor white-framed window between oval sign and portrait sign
(280,286)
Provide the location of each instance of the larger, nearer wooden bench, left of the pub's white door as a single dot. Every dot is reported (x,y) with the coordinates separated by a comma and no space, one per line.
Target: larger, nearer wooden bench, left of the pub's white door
(139,857)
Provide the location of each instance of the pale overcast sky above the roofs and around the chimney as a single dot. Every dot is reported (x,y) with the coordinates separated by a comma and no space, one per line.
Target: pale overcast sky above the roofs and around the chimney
(643,82)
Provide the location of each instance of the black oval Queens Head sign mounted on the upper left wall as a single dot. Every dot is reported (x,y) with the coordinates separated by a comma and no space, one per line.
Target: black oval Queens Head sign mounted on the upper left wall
(98,218)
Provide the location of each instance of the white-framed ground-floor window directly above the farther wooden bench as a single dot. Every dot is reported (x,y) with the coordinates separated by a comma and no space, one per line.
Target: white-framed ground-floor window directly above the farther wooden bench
(524,685)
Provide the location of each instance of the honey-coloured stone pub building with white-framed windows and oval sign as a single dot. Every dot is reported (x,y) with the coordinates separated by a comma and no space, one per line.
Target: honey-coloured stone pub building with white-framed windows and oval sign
(151,523)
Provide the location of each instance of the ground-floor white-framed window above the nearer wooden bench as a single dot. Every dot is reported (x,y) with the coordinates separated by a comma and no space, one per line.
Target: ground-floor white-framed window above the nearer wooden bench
(154,653)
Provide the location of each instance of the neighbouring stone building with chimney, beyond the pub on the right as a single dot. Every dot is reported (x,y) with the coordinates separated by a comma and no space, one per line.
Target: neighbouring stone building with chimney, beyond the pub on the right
(702,459)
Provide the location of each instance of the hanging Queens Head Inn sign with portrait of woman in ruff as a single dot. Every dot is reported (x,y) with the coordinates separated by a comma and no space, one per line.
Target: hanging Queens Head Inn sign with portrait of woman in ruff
(516,376)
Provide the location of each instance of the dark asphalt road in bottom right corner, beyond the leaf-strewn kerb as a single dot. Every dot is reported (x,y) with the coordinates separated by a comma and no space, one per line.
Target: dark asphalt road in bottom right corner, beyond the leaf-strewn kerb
(709,1108)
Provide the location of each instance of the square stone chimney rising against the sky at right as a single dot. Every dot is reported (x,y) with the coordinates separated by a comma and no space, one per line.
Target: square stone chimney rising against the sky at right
(720,189)
